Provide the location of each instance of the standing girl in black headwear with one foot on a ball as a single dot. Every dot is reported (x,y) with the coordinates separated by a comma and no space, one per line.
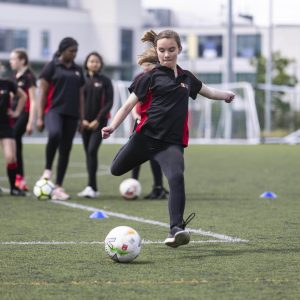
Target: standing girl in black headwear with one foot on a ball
(61,101)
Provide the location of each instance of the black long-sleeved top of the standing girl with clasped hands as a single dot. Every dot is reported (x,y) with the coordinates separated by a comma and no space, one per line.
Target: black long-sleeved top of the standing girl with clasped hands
(98,97)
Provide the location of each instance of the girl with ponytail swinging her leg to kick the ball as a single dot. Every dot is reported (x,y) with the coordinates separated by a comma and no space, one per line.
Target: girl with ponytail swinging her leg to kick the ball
(163,132)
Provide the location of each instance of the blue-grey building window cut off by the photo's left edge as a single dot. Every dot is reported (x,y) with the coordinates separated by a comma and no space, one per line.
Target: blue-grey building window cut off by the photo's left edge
(10,39)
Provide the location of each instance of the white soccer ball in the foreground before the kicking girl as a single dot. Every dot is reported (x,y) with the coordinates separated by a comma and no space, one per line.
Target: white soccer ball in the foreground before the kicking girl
(123,244)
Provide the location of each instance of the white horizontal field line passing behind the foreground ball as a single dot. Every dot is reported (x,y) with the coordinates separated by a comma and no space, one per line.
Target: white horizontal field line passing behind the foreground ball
(144,242)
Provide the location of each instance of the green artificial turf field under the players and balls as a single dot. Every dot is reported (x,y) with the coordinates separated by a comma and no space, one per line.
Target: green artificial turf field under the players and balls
(250,248)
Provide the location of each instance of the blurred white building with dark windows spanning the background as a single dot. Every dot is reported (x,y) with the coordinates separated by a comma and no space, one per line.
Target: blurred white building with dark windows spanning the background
(114,28)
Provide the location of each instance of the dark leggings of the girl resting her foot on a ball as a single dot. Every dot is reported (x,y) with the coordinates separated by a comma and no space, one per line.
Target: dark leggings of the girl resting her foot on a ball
(61,131)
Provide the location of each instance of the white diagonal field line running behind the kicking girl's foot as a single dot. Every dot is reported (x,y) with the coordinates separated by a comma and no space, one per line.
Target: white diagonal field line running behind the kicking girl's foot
(199,231)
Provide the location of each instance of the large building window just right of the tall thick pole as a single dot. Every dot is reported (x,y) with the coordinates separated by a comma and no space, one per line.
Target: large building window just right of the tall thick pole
(248,45)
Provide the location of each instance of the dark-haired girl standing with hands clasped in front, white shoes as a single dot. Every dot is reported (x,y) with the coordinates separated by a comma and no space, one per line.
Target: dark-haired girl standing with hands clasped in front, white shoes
(98,100)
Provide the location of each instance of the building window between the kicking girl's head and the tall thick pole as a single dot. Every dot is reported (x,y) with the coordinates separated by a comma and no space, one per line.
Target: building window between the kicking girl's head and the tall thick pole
(210,46)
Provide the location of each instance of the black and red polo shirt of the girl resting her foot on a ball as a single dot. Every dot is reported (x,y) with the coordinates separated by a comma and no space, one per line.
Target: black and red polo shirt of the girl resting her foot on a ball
(65,83)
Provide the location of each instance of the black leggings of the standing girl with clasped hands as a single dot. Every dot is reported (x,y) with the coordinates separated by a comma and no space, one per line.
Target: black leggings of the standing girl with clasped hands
(91,141)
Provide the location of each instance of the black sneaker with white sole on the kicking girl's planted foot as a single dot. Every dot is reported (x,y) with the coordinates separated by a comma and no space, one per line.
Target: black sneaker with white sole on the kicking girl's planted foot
(178,236)
